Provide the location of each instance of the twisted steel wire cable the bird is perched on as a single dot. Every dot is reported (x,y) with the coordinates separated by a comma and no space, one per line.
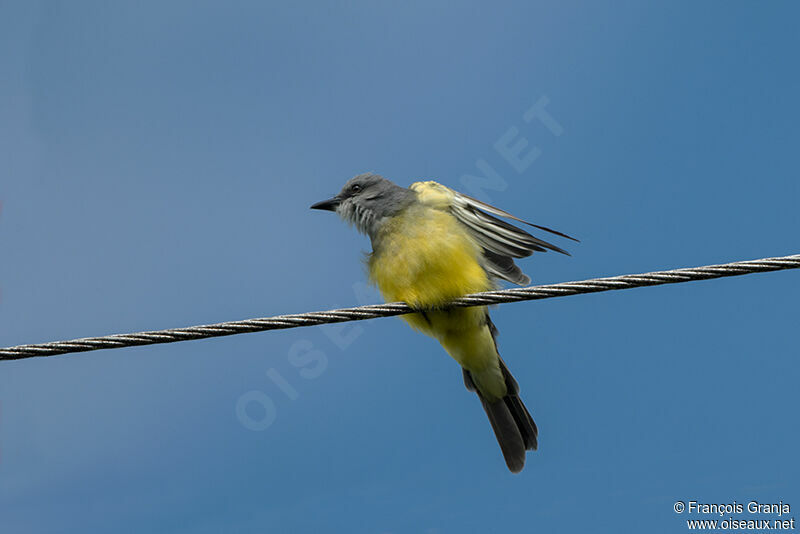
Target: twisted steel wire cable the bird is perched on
(360,313)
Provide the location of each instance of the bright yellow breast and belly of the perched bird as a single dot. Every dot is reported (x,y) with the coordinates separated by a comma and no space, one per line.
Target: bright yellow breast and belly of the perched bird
(426,258)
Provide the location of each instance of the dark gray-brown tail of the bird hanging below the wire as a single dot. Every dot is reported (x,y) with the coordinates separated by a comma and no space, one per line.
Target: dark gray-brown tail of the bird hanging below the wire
(512,423)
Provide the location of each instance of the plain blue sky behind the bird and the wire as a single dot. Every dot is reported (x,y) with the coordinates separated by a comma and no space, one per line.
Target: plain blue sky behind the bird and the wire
(158,161)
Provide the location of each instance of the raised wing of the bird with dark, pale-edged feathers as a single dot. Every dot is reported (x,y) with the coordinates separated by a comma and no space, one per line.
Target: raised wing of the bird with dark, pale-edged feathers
(501,241)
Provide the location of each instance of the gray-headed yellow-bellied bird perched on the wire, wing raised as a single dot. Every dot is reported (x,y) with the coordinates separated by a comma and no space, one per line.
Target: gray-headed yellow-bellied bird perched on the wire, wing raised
(430,245)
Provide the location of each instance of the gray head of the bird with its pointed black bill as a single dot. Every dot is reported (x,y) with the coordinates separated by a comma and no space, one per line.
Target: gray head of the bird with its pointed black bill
(366,201)
